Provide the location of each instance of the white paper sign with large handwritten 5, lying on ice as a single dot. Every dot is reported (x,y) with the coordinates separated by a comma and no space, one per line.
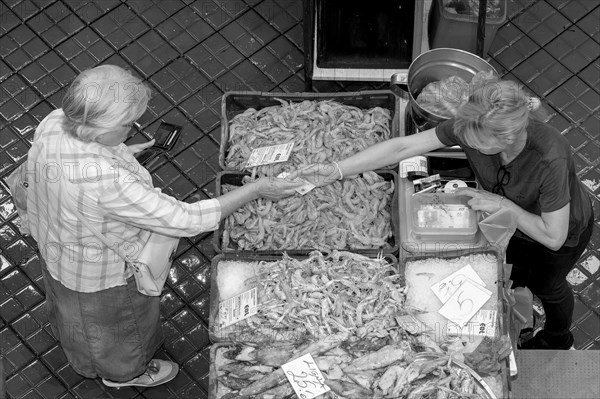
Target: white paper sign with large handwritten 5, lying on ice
(465,302)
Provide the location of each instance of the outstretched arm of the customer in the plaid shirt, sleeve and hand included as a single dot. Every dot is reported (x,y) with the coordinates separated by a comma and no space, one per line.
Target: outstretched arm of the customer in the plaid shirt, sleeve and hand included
(138,204)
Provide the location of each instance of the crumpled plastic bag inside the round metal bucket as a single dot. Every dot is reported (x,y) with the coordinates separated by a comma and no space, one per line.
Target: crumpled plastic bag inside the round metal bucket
(445,97)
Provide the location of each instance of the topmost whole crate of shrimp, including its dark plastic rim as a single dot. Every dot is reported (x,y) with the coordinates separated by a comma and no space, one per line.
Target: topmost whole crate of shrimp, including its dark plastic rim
(315,127)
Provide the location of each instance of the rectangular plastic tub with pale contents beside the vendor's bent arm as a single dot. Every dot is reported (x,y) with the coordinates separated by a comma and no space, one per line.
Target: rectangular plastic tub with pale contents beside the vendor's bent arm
(442,216)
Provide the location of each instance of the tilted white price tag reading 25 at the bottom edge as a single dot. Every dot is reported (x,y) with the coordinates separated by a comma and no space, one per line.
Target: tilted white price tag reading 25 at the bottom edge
(305,377)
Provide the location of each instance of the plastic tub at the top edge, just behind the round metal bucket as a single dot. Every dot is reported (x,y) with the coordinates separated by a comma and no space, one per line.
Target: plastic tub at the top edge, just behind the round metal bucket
(447,29)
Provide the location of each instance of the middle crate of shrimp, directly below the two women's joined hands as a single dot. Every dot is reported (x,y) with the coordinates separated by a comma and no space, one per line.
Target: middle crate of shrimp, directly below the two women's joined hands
(359,215)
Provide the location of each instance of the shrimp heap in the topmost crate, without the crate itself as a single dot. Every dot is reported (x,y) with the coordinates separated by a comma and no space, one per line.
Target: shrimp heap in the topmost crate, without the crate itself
(322,131)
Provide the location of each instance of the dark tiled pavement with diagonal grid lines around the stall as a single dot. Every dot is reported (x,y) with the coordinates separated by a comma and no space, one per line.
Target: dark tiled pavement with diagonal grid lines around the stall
(191,52)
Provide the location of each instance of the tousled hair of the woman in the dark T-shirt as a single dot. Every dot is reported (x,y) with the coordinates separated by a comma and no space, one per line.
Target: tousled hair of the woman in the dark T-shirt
(496,109)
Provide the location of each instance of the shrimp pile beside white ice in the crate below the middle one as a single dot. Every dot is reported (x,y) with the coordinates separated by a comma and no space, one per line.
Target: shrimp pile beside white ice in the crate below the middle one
(341,293)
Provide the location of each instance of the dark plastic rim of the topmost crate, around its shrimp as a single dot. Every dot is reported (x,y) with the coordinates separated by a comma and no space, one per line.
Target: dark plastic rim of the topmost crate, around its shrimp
(234,103)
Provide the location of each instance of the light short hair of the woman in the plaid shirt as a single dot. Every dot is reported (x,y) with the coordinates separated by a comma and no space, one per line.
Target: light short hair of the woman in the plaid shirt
(102,98)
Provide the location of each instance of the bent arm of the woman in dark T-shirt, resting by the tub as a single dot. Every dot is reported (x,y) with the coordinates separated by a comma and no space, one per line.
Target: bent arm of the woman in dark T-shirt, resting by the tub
(549,229)
